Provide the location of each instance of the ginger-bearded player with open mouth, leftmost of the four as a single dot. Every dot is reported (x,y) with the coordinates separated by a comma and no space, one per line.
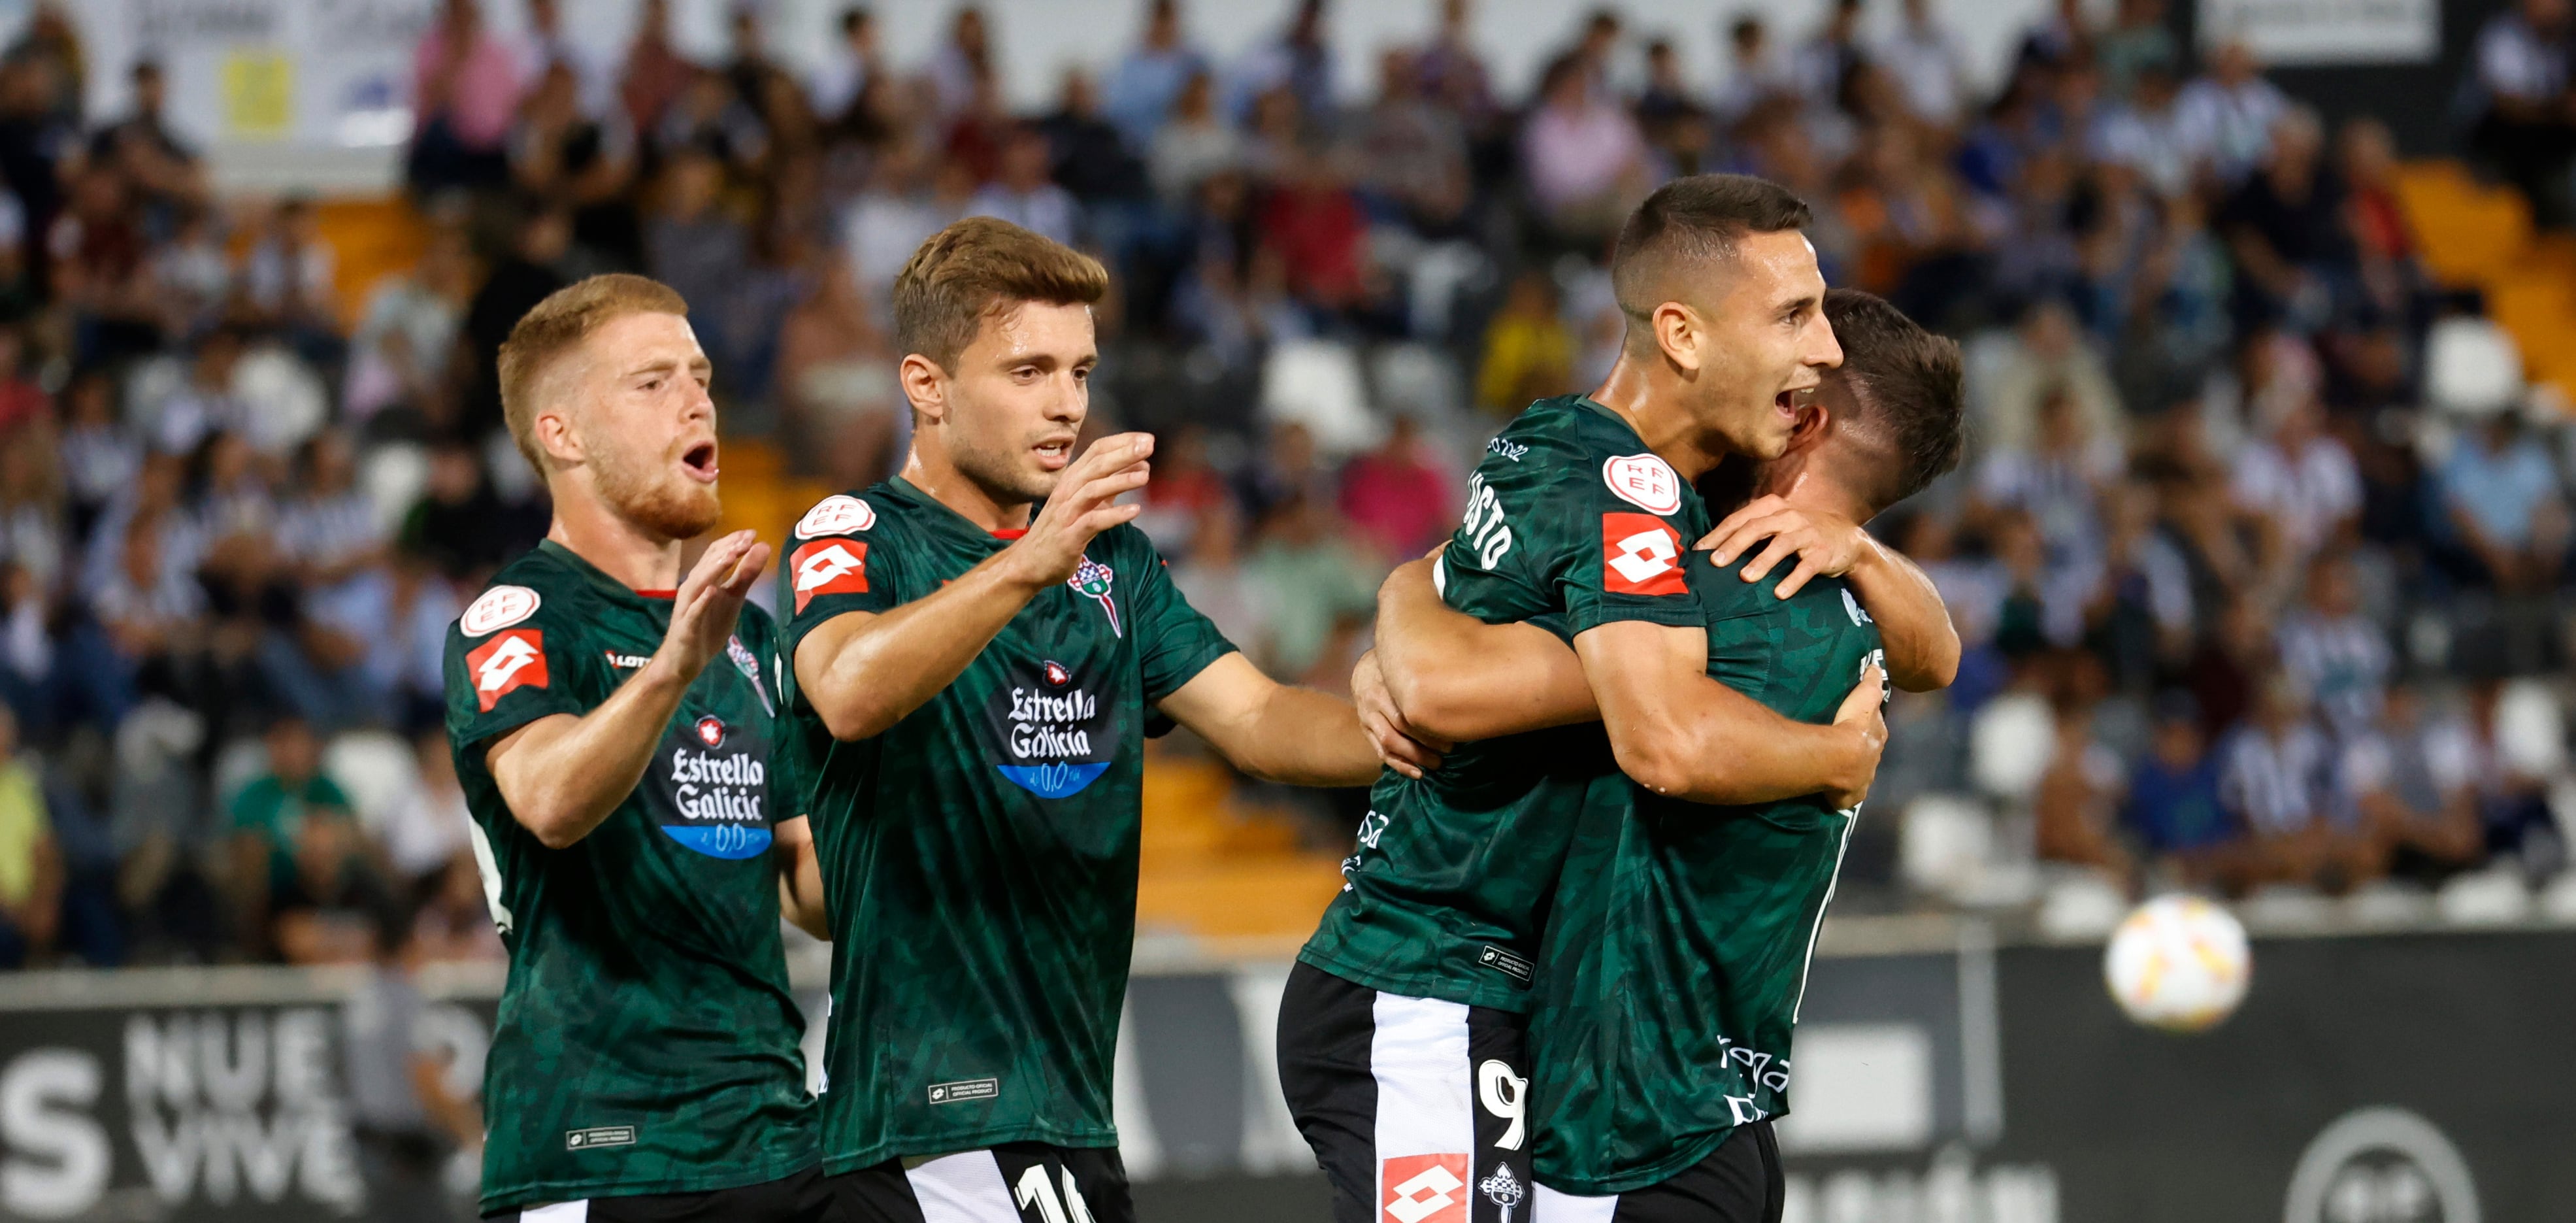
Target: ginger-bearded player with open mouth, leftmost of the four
(612,730)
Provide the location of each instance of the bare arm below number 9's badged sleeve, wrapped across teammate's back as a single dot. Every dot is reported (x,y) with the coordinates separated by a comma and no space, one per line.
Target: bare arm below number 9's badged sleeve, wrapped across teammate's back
(1683,735)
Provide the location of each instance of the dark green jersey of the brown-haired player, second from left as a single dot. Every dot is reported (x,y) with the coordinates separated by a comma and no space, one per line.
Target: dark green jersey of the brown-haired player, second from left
(980,856)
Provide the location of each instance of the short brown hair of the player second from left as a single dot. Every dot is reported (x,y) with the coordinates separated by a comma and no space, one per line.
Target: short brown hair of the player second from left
(983,266)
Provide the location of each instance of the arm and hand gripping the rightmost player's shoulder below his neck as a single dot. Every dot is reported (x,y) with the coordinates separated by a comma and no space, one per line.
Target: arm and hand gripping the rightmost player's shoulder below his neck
(1913,619)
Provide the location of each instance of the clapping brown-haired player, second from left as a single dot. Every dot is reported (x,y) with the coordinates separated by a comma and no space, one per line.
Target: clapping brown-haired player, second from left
(975,681)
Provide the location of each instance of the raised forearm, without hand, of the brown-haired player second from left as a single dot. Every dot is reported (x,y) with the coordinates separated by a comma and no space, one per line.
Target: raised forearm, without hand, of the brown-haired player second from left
(864,673)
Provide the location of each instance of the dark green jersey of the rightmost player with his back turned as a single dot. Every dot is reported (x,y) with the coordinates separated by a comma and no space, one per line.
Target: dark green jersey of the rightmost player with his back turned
(1681,936)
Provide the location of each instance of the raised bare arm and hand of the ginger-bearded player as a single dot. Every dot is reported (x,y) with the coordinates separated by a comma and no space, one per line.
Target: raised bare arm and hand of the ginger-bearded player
(565,774)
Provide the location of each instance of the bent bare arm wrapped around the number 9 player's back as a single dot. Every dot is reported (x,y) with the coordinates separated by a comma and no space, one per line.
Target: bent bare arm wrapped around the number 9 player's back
(1462,678)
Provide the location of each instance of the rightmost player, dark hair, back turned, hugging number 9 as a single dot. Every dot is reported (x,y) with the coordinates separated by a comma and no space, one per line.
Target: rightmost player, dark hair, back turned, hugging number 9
(1678,946)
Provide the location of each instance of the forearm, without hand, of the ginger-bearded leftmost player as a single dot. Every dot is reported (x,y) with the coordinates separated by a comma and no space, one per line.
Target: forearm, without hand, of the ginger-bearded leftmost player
(563,776)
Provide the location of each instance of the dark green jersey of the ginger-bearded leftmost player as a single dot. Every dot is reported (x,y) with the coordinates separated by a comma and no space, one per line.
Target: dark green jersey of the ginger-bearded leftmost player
(648,1036)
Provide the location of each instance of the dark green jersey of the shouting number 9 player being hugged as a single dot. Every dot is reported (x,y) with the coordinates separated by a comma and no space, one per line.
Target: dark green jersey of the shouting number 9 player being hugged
(1570,516)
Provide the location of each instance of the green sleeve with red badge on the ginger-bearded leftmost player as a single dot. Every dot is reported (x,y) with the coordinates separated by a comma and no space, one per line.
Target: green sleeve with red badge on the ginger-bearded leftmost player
(516,671)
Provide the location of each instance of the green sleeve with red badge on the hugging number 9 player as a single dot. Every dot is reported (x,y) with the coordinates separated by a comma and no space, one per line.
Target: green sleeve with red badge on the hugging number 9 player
(1622,537)
